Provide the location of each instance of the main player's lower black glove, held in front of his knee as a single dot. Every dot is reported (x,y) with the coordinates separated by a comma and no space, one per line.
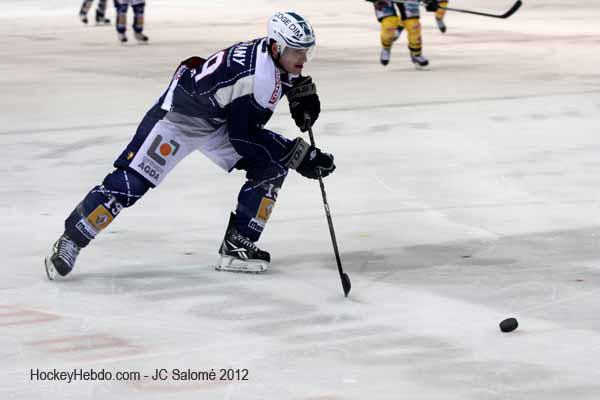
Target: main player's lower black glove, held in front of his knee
(308,160)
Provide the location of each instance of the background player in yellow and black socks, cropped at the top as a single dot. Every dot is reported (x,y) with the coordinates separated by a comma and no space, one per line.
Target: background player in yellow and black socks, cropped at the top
(394,18)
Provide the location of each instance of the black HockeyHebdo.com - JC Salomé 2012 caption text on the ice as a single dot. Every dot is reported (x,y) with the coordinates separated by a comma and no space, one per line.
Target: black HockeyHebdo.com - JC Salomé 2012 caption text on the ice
(158,374)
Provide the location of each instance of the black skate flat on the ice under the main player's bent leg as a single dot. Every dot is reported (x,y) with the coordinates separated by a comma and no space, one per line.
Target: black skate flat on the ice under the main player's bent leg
(240,254)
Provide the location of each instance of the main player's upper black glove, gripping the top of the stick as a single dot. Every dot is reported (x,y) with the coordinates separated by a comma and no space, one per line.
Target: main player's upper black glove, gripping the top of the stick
(303,100)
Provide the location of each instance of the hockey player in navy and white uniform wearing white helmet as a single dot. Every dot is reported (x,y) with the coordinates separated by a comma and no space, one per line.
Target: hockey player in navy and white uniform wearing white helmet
(218,106)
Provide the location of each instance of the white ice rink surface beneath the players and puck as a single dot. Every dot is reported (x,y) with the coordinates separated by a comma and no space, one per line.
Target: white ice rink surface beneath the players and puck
(464,195)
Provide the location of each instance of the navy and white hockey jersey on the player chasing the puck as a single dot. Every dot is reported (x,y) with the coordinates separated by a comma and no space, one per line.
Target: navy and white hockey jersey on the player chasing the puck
(238,87)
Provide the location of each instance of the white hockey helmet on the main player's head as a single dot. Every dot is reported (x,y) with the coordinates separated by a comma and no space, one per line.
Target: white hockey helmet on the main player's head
(290,29)
